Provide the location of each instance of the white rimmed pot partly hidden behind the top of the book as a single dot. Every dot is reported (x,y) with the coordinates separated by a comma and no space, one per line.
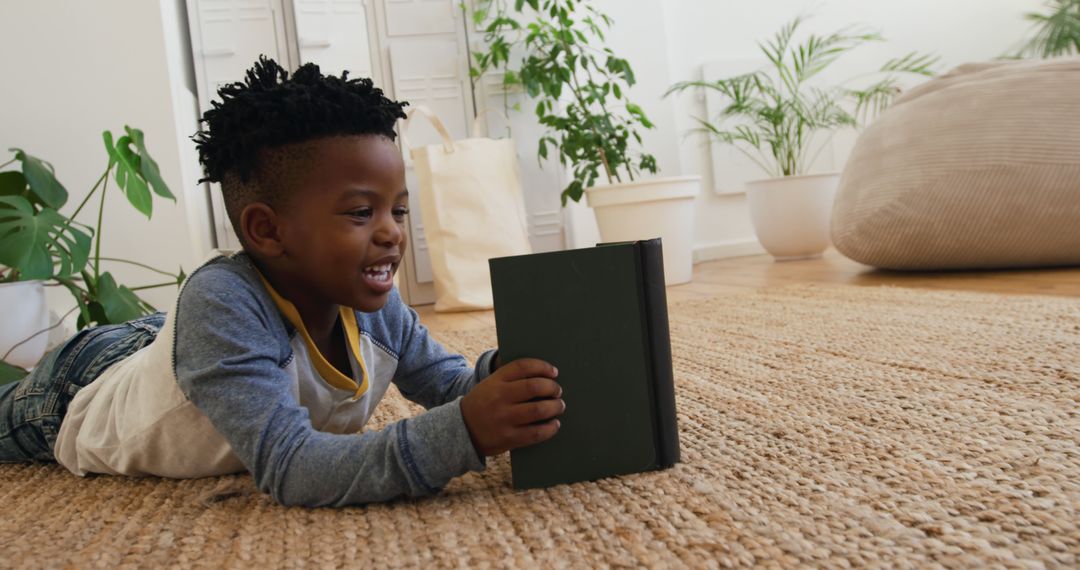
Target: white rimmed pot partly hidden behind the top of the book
(659,208)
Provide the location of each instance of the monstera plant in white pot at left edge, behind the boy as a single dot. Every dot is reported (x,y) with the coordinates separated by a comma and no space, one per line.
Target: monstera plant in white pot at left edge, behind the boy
(40,247)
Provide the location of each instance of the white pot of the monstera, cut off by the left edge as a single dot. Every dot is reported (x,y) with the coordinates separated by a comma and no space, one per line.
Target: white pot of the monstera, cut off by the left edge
(24,314)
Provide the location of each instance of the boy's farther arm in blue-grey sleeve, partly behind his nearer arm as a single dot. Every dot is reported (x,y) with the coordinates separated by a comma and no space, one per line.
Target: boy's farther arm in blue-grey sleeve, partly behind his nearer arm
(427,373)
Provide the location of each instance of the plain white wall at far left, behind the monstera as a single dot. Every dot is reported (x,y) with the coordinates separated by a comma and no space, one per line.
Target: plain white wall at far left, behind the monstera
(74,70)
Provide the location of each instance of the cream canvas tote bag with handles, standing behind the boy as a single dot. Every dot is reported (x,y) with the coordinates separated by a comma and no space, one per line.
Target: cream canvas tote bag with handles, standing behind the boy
(472,208)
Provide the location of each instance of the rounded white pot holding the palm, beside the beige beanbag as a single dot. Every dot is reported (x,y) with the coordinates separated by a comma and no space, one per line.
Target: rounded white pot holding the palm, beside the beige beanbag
(791,215)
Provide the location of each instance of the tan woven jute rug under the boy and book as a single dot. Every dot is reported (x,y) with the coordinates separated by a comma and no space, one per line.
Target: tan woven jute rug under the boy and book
(836,427)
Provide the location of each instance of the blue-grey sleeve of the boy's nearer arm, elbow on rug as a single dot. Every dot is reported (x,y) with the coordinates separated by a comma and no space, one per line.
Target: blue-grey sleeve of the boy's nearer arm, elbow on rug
(229,363)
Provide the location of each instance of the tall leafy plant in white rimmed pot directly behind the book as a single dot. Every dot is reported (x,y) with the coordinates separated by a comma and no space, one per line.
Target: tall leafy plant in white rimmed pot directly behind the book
(580,88)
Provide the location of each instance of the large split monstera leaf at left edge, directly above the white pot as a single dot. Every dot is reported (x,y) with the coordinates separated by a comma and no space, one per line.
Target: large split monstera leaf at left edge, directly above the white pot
(35,242)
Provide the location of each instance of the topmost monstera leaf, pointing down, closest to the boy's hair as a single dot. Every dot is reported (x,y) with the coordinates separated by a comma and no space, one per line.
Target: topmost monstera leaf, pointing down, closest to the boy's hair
(137,171)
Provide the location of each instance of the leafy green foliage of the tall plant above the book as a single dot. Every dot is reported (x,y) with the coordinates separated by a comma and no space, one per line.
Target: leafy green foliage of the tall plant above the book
(564,44)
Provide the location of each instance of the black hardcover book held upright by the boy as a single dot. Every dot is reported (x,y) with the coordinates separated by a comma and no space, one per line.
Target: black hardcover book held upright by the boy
(599,315)
